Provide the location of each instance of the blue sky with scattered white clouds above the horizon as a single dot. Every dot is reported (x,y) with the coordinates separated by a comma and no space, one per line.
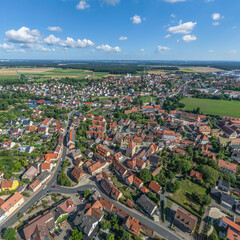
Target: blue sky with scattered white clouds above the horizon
(120,29)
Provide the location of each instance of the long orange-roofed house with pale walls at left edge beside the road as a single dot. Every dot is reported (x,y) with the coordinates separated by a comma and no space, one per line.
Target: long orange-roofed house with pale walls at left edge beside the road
(11,205)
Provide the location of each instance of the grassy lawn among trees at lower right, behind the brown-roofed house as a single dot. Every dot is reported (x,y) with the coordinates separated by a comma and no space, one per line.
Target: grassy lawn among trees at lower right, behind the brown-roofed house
(188,187)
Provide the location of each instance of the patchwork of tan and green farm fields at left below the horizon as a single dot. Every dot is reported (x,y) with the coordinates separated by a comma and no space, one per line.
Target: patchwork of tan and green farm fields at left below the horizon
(40,74)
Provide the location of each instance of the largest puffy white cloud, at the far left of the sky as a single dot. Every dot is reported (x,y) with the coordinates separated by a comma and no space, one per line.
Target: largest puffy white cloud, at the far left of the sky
(23,35)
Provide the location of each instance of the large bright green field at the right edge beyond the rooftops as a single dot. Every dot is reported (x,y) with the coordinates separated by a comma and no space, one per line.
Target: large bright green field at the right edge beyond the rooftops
(213,107)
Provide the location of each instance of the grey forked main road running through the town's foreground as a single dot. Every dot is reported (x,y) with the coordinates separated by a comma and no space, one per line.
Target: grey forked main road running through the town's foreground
(162,230)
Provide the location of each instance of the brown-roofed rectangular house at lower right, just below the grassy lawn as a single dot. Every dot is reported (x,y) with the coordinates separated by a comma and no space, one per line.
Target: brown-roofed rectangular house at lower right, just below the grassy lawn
(185,220)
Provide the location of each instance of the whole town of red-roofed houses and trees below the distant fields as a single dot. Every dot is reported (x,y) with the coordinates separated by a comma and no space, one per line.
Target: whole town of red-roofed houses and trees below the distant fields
(146,155)
